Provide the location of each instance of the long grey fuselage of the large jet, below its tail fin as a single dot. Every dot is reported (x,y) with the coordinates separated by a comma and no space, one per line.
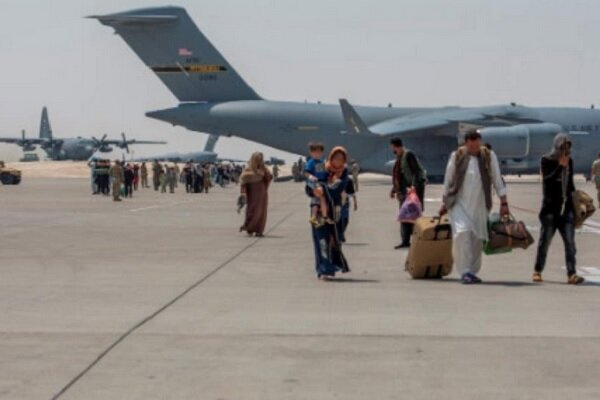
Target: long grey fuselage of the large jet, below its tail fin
(290,126)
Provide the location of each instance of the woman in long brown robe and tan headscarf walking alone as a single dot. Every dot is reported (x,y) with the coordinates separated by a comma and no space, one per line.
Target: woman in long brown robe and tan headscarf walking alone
(255,181)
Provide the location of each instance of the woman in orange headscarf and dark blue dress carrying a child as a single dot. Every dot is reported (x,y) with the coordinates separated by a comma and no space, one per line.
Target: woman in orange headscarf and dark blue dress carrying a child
(329,258)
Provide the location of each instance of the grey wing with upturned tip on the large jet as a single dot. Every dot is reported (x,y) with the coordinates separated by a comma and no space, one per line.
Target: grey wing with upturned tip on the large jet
(445,122)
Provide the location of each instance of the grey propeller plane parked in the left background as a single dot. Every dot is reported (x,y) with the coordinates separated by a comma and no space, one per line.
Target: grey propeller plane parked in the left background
(75,149)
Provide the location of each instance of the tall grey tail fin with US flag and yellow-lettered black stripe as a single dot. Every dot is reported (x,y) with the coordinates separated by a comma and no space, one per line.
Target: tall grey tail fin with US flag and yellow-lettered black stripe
(172,46)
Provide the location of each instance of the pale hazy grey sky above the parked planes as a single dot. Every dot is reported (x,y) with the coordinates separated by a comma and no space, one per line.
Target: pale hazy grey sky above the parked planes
(408,52)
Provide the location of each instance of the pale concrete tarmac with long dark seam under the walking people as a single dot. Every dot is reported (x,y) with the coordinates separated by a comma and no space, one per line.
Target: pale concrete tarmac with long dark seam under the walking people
(160,297)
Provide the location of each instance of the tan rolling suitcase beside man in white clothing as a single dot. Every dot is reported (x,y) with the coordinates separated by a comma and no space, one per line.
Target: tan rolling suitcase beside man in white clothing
(430,254)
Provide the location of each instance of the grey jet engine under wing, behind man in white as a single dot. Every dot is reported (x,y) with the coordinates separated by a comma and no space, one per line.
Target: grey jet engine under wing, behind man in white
(519,141)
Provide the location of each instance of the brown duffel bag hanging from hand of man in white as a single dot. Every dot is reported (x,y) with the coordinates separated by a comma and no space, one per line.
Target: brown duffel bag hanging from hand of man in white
(506,234)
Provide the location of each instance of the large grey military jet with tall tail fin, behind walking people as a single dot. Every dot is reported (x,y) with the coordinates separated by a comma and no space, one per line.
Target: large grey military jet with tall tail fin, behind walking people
(214,98)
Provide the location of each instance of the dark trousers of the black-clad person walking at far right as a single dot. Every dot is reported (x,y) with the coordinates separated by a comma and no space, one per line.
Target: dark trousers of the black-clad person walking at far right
(566,227)
